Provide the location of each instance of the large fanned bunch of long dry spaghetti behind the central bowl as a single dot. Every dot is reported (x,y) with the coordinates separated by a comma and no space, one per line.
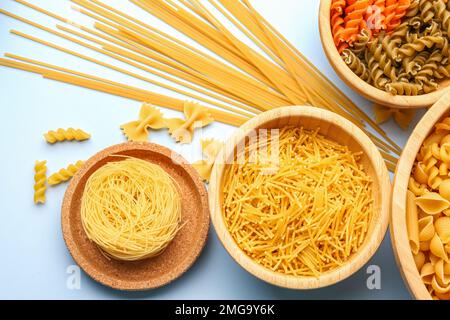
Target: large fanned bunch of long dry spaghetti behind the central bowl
(238,79)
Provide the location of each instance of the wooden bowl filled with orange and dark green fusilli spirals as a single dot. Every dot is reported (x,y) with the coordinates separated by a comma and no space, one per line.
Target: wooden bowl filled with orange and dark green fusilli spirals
(402,63)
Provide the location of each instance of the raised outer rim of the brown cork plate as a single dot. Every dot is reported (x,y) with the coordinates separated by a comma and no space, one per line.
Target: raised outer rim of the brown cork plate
(170,274)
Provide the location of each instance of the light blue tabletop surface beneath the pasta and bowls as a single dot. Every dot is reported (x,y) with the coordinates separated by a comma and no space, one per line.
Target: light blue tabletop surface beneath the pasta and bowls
(34,259)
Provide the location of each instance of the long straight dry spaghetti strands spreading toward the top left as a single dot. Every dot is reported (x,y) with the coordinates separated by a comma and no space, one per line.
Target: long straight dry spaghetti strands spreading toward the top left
(255,82)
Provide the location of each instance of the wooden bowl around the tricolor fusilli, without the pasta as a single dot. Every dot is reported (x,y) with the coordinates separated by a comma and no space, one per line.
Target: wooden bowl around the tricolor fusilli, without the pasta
(363,88)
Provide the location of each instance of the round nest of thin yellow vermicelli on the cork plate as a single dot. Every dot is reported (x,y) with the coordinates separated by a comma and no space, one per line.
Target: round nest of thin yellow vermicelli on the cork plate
(131,209)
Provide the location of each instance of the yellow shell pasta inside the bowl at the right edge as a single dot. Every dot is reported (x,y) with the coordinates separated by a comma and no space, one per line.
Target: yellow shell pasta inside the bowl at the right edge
(429,188)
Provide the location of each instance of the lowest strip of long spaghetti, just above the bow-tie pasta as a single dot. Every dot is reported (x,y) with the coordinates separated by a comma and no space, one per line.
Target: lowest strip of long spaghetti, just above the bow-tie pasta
(122,90)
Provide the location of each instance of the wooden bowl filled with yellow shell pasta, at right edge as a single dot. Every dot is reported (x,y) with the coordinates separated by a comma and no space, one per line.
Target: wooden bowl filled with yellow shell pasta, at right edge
(416,219)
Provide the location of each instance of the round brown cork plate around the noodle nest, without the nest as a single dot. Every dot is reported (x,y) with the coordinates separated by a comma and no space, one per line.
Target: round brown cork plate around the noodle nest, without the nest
(181,252)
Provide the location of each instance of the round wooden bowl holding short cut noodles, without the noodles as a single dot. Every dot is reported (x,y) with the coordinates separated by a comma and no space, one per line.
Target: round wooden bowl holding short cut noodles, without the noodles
(338,129)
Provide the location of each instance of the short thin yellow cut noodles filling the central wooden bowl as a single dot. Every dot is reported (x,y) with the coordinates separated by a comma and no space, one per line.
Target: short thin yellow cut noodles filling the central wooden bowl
(304,212)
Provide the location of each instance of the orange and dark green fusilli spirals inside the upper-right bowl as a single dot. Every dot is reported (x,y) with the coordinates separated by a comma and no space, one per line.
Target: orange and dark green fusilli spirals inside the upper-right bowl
(407,53)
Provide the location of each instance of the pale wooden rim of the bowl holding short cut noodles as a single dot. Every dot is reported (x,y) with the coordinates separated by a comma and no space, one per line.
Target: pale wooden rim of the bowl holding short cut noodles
(360,258)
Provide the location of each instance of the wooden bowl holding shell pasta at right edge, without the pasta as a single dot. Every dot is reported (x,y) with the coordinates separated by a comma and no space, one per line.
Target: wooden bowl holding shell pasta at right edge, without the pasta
(399,235)
